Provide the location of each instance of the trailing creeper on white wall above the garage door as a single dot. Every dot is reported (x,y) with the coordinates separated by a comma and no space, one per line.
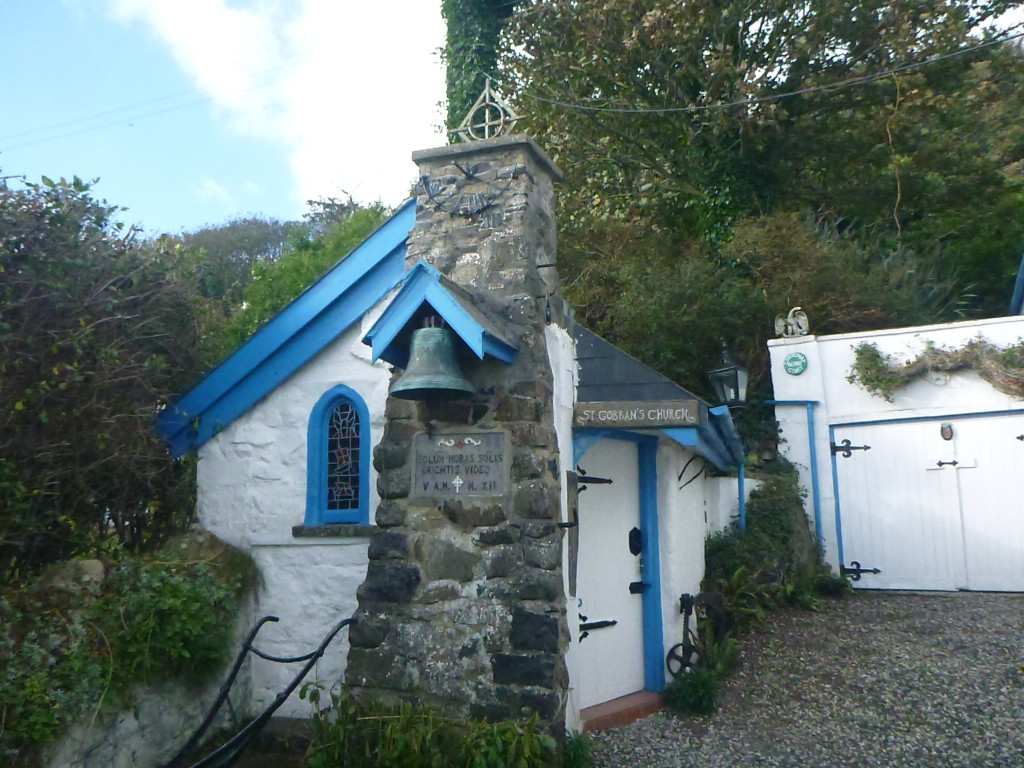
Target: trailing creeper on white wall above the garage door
(880,375)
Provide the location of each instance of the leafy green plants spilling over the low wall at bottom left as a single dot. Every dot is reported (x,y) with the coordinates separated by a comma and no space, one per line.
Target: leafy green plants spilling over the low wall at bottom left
(73,651)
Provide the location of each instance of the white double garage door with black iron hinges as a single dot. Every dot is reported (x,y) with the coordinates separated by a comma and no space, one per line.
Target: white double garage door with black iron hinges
(932,514)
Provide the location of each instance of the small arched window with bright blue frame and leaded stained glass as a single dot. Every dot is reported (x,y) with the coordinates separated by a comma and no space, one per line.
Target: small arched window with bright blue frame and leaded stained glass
(338,461)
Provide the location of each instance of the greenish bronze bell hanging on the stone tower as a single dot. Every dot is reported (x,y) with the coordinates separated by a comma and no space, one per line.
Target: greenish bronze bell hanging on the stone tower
(433,373)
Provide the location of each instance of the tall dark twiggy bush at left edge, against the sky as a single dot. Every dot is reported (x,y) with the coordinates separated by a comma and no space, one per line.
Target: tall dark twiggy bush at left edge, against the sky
(98,329)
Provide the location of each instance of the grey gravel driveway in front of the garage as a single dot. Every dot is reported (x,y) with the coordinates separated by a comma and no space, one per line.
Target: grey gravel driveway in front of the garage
(877,680)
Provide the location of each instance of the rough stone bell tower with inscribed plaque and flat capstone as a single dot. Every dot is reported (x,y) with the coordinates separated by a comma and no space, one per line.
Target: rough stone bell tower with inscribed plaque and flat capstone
(463,607)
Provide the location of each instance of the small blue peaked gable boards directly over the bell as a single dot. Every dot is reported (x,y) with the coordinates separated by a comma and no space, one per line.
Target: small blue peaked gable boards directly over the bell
(424,285)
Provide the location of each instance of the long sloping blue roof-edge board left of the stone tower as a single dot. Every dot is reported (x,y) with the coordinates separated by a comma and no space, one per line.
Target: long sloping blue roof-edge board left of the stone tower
(313,321)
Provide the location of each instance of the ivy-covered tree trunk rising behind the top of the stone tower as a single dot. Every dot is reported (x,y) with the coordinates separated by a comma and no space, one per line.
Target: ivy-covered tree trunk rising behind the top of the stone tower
(472,50)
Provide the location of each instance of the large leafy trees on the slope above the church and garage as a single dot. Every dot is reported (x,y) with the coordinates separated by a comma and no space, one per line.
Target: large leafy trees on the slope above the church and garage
(690,121)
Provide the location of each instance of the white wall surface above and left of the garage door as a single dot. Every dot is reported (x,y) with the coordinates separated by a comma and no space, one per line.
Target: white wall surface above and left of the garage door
(838,402)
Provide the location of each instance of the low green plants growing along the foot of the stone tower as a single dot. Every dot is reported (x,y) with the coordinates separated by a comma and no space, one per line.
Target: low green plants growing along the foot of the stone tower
(353,734)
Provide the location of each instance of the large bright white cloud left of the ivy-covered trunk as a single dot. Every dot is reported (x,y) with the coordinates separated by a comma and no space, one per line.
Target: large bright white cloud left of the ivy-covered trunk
(350,89)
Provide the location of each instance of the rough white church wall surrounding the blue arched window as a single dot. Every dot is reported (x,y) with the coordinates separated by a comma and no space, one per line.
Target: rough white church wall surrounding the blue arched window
(252,490)
